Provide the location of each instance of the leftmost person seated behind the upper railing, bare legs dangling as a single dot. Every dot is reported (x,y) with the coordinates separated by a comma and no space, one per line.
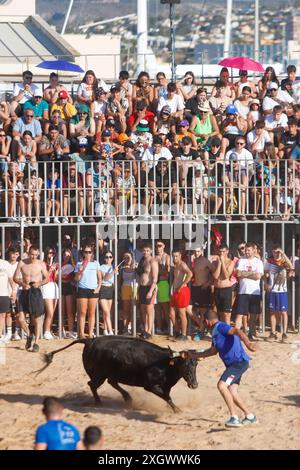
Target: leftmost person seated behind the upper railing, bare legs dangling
(13,184)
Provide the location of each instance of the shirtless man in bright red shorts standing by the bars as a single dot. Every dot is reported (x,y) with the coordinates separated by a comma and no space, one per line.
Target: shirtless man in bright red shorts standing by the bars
(180,300)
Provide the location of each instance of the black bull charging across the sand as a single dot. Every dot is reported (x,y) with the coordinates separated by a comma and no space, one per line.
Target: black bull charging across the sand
(135,362)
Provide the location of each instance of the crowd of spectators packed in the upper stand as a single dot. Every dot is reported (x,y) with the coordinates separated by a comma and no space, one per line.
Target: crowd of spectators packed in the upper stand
(233,152)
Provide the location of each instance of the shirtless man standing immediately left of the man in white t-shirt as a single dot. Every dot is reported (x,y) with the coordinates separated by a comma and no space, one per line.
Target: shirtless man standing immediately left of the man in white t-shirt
(223,269)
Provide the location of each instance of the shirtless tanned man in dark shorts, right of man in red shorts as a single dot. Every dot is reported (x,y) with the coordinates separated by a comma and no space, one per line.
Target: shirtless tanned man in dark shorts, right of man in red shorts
(201,288)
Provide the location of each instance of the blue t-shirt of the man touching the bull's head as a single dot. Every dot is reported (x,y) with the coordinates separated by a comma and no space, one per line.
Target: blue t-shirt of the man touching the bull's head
(229,347)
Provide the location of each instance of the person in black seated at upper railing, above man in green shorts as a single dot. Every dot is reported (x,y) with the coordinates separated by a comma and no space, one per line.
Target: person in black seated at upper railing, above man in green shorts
(162,184)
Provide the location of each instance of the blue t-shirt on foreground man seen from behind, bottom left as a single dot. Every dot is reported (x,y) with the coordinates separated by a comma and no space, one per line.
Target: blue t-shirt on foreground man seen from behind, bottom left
(58,435)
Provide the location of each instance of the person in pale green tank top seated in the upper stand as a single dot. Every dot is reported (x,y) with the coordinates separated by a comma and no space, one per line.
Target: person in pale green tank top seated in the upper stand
(204,126)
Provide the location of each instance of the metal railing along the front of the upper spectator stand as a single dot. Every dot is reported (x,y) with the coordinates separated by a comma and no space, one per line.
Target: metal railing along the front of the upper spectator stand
(60,191)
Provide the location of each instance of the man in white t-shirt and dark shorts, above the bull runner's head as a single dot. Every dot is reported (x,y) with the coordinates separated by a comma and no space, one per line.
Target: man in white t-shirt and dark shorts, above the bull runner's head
(249,272)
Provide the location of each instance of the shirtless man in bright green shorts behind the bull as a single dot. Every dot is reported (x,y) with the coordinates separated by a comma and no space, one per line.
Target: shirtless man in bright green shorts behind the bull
(163,287)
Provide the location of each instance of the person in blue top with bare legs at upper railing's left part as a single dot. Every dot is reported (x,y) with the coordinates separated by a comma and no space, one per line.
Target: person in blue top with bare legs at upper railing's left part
(53,186)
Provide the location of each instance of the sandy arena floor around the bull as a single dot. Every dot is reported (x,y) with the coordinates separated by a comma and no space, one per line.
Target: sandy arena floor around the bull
(271,387)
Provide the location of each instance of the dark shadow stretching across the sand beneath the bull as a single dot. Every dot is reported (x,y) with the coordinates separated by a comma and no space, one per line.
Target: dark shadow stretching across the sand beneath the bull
(83,403)
